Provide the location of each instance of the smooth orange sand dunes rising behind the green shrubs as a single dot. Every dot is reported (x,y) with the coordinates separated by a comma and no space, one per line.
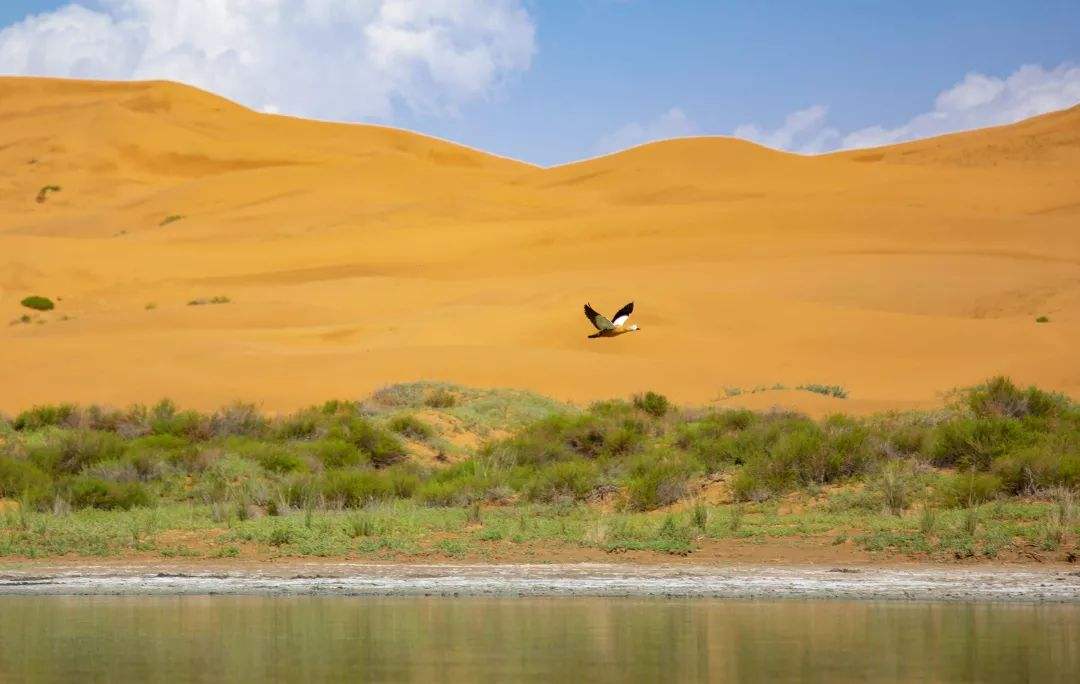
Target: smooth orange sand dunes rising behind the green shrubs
(356,257)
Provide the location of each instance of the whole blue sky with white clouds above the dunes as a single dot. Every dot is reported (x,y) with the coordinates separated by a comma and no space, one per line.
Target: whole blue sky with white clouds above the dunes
(550,82)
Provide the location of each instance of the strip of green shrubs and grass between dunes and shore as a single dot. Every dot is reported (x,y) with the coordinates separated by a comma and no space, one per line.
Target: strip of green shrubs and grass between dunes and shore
(427,470)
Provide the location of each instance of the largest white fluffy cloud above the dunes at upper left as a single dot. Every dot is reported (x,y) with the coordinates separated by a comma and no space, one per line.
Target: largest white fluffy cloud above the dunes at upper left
(345,60)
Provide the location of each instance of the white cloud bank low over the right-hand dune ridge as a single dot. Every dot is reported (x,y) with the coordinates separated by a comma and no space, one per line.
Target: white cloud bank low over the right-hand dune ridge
(976,102)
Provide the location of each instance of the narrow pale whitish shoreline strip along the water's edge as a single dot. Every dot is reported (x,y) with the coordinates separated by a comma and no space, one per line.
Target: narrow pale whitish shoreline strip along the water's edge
(1045,585)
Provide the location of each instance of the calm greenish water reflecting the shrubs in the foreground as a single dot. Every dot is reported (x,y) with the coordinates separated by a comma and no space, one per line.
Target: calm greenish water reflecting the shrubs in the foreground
(412,639)
